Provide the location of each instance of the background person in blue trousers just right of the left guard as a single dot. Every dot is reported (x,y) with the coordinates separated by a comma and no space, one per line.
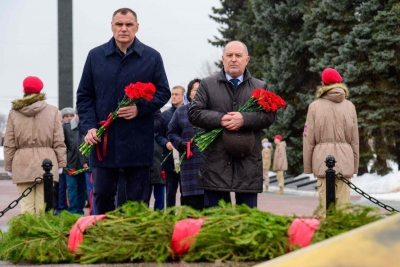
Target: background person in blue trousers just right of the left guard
(76,184)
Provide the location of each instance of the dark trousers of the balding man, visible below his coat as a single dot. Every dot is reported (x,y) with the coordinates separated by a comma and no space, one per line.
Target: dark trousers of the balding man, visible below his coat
(211,198)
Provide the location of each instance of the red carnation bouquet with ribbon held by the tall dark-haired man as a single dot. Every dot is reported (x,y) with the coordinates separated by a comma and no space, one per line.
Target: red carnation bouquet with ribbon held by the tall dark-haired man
(133,94)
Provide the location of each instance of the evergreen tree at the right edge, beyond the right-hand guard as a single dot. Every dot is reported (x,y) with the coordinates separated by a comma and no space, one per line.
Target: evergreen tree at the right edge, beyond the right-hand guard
(372,68)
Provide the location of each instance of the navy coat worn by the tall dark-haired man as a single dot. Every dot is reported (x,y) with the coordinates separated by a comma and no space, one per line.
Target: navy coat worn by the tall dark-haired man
(106,73)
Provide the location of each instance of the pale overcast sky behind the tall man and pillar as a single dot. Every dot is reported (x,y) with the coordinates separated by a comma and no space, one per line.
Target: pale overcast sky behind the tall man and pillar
(178,29)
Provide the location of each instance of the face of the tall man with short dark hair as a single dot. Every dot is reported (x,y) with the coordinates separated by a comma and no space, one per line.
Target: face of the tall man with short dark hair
(124,28)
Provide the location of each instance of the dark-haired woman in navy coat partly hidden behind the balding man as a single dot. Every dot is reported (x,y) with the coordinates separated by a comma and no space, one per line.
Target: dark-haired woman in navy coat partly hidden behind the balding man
(180,132)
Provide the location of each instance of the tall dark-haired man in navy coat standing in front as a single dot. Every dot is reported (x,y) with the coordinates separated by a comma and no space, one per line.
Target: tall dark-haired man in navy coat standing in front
(109,68)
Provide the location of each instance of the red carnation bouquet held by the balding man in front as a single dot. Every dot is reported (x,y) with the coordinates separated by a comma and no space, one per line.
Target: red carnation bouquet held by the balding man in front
(260,100)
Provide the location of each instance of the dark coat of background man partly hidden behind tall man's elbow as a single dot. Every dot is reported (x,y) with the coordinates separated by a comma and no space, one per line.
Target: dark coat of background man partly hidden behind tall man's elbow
(162,140)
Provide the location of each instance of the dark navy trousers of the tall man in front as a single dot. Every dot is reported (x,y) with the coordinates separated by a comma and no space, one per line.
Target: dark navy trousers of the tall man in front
(105,182)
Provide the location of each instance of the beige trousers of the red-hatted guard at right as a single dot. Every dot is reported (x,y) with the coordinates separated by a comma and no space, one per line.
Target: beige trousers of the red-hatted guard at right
(342,194)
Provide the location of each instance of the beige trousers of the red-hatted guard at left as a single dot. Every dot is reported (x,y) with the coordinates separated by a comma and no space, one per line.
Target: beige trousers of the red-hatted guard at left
(34,202)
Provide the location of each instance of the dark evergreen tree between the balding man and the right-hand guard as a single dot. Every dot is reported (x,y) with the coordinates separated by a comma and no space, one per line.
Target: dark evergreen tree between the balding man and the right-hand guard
(286,70)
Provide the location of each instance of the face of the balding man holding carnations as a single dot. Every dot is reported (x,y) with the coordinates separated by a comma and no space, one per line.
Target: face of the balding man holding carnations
(235,59)
